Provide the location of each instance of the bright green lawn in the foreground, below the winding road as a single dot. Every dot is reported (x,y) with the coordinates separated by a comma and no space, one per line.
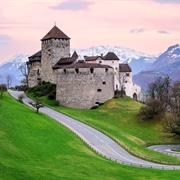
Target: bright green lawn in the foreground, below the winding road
(33,146)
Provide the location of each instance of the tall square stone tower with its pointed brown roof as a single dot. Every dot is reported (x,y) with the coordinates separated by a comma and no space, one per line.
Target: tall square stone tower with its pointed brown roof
(54,45)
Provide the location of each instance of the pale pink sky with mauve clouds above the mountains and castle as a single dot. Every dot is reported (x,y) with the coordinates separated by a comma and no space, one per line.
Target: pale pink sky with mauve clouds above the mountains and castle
(149,26)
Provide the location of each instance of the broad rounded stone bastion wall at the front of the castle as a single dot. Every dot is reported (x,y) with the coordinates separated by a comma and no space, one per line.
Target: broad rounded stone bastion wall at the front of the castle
(83,89)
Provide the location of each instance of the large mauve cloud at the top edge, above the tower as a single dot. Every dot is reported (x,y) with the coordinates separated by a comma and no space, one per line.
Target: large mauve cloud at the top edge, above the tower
(72,5)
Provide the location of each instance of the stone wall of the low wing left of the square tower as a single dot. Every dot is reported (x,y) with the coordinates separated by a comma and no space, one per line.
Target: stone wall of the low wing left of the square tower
(34,73)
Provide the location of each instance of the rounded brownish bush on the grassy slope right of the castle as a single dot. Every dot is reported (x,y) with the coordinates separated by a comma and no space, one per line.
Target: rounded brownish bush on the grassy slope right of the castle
(152,108)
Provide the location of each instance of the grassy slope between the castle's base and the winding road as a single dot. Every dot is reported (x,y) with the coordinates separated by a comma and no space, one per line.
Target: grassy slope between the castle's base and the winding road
(118,118)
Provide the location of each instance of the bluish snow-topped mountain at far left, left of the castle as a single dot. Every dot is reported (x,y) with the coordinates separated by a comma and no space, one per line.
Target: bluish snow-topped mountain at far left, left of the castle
(11,68)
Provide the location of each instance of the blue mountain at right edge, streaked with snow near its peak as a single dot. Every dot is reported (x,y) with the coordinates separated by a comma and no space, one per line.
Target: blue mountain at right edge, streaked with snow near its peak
(167,64)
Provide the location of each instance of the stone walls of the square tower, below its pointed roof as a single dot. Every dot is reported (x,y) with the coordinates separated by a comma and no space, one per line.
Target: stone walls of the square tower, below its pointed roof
(52,51)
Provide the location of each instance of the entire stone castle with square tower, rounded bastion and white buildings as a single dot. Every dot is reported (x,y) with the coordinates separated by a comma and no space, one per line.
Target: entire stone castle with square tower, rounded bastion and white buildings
(80,83)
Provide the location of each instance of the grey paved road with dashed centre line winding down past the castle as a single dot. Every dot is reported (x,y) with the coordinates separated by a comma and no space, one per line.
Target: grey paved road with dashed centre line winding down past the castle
(95,139)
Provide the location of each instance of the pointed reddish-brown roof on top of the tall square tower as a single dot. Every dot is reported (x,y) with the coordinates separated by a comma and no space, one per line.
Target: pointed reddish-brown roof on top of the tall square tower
(55,32)
